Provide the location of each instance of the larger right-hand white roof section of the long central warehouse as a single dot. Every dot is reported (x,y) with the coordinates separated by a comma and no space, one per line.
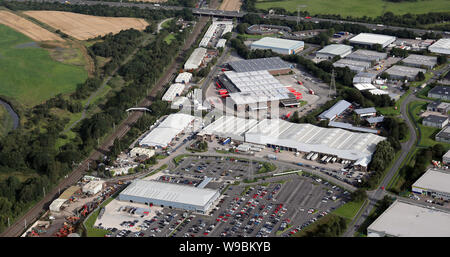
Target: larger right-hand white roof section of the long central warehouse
(309,138)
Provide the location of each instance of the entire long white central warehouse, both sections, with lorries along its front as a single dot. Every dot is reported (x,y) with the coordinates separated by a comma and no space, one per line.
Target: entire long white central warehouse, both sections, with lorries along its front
(299,137)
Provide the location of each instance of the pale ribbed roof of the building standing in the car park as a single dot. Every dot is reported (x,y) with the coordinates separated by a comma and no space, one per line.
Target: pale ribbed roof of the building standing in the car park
(169,192)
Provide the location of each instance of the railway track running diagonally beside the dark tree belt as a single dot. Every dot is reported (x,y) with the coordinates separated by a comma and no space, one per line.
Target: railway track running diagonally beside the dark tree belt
(35,212)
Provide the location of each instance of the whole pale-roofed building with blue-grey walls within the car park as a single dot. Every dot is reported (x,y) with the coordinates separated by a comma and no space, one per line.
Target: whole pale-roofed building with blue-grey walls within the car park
(170,195)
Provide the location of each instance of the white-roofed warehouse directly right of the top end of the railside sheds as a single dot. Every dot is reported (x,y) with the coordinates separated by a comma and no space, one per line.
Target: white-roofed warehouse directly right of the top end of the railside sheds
(278,45)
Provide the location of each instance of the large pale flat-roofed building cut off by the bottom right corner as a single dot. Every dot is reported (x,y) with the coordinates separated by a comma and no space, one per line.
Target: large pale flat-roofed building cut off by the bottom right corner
(404,219)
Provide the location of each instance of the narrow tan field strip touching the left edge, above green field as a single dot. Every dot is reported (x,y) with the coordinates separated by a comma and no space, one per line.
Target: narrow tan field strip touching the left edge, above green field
(27,27)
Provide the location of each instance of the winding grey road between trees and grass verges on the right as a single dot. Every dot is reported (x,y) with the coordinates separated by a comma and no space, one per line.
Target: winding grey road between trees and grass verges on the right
(379,193)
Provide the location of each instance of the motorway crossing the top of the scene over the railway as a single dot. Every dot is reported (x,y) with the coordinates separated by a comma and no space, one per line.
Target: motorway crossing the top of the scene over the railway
(235,14)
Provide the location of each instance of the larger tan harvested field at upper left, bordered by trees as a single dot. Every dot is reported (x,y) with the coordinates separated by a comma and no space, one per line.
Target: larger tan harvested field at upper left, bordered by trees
(83,27)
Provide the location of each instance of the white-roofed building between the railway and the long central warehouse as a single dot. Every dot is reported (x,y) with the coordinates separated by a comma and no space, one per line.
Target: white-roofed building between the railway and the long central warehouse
(166,131)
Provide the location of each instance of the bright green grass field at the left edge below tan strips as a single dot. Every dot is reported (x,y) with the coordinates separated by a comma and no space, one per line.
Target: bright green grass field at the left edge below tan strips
(29,75)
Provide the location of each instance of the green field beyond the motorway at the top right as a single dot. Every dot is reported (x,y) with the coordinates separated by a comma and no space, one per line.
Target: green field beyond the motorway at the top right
(359,8)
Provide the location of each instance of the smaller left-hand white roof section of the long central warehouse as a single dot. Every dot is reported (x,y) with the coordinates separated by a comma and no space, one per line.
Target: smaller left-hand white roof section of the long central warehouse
(229,126)
